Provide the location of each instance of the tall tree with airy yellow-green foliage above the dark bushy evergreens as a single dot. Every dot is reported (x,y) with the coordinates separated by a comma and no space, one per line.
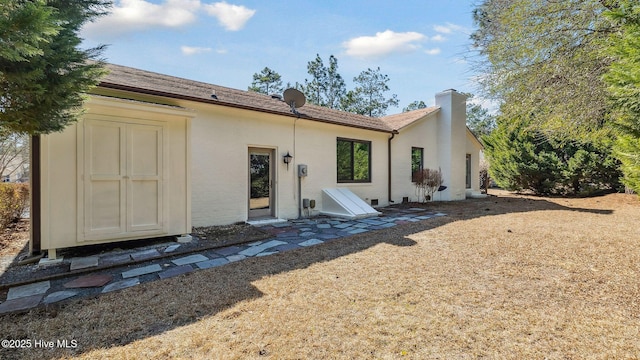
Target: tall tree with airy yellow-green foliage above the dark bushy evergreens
(544,60)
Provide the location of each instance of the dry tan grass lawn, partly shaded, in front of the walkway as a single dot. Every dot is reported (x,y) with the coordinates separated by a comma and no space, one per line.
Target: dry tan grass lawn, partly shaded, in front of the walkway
(505,277)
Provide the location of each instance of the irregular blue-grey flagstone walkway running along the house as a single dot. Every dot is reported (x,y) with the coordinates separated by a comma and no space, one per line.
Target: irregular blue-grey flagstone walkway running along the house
(286,236)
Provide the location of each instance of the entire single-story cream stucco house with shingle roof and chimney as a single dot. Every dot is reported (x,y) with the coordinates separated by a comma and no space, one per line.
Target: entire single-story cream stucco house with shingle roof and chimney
(155,155)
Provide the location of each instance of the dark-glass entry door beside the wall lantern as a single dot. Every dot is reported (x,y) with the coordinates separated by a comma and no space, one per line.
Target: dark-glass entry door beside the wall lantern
(261,192)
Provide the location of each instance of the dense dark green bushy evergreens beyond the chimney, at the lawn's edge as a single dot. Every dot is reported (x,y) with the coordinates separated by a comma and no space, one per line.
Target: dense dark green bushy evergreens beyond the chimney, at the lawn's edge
(523,158)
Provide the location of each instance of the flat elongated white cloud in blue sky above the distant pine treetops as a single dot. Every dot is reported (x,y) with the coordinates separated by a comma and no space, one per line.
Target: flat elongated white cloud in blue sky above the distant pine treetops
(383,43)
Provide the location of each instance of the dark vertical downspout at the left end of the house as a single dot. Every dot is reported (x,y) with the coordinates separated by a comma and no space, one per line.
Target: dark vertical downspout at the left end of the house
(36,195)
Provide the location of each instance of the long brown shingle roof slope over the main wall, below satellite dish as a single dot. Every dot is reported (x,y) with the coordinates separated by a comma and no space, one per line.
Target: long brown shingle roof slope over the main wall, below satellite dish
(141,81)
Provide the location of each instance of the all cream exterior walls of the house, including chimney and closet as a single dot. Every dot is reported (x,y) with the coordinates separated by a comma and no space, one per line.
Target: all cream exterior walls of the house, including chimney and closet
(203,152)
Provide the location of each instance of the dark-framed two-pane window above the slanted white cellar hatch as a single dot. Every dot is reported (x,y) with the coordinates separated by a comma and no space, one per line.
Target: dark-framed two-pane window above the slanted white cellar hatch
(353,160)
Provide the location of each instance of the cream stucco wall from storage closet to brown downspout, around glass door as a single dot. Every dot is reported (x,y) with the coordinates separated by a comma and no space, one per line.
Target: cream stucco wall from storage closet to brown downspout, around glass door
(221,138)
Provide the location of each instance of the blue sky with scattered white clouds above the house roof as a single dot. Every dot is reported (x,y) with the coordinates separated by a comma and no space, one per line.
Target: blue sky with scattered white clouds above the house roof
(423,46)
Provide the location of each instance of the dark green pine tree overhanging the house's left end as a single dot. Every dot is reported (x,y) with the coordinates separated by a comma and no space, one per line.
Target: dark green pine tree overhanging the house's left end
(43,72)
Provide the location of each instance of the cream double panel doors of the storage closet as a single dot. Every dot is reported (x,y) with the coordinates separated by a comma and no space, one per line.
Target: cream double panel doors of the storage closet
(123,179)
